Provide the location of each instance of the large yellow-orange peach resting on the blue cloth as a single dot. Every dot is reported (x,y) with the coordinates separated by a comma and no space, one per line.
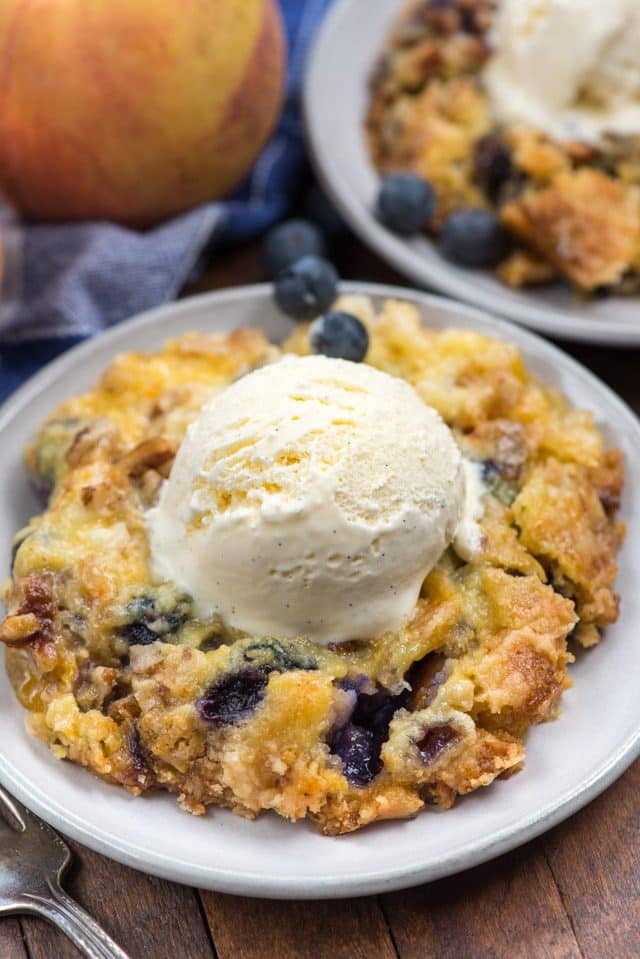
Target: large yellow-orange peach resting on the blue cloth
(133,110)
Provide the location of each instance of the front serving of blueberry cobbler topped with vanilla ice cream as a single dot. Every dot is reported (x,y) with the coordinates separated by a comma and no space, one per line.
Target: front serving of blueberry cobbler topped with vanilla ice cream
(272,578)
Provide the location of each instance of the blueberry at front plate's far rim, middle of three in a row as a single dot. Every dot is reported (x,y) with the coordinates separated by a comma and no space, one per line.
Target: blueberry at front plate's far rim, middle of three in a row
(307,287)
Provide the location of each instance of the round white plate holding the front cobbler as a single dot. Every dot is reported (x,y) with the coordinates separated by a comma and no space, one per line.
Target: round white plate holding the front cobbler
(568,762)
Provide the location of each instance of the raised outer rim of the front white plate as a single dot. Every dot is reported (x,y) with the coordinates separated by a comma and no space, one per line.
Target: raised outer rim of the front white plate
(260,884)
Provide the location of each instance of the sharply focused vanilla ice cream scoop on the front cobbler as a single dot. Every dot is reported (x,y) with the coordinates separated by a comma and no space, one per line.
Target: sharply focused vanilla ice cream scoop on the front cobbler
(311,497)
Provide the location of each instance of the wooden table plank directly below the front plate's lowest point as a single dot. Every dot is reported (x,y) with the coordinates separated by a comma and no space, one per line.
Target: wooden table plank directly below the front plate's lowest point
(259,928)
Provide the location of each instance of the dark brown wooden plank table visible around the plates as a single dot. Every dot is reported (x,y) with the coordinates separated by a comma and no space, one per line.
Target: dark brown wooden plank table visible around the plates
(571,894)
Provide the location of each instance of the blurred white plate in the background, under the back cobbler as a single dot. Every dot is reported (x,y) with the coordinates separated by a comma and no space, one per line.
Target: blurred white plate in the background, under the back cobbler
(335,100)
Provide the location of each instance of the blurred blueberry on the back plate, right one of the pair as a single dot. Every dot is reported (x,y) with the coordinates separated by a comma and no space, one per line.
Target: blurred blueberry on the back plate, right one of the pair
(473,238)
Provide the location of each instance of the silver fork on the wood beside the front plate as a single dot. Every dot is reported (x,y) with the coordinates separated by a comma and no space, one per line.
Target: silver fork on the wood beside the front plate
(33,859)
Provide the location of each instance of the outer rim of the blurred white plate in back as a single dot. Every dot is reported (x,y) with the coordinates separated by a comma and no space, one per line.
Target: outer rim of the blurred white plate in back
(400,252)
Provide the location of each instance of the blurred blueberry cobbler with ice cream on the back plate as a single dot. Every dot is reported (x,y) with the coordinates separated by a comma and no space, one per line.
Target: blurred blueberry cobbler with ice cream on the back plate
(510,130)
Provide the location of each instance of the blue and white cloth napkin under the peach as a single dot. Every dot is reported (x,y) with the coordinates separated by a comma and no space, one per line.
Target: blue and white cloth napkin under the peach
(64,283)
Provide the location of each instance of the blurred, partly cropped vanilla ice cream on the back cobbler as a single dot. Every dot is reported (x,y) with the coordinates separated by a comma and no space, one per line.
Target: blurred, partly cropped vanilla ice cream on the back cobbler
(570,68)
